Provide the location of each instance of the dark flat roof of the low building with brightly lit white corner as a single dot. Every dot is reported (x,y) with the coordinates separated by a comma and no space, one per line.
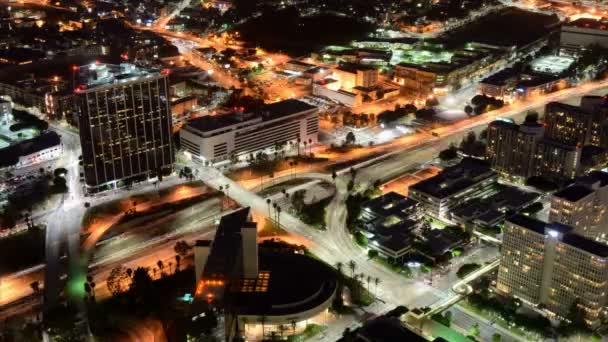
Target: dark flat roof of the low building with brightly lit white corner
(455,178)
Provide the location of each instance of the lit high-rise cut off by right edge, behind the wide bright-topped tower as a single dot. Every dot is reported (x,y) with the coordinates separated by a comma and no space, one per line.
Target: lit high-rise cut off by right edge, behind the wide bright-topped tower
(583,205)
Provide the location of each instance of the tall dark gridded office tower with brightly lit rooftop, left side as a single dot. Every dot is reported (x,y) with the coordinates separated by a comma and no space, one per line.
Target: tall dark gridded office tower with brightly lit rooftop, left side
(125,124)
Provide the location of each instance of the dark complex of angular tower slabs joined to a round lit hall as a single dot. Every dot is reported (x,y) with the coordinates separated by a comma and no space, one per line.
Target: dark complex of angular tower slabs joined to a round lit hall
(250,283)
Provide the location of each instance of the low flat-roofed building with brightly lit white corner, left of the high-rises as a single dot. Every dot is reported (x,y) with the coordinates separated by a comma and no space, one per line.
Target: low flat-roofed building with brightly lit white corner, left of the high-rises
(454,185)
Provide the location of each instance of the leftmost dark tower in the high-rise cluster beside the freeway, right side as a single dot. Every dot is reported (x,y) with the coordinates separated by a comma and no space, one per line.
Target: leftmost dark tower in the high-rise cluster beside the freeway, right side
(511,147)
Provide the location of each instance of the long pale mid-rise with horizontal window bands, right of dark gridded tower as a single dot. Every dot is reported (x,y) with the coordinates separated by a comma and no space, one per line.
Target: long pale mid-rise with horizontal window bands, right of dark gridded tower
(213,139)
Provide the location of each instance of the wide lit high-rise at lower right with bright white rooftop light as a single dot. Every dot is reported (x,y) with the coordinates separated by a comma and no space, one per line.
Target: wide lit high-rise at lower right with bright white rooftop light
(549,266)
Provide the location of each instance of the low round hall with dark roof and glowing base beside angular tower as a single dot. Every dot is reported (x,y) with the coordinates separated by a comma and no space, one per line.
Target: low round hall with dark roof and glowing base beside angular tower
(290,289)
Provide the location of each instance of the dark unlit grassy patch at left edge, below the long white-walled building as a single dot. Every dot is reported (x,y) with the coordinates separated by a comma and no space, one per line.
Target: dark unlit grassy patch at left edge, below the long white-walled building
(22,250)
